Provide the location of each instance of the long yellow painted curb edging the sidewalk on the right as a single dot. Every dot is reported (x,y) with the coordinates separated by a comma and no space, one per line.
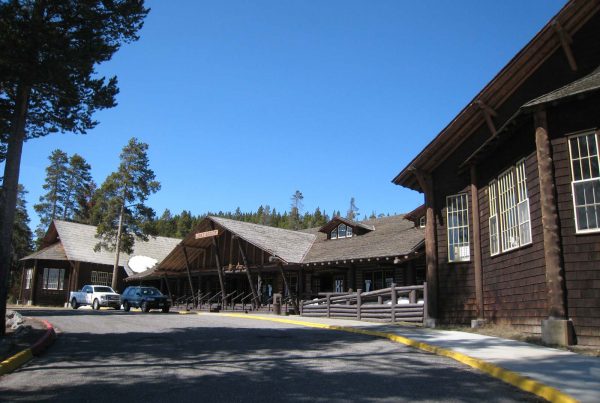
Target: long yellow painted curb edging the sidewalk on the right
(526,384)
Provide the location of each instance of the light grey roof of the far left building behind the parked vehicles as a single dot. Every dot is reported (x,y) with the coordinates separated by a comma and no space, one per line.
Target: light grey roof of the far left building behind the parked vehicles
(75,242)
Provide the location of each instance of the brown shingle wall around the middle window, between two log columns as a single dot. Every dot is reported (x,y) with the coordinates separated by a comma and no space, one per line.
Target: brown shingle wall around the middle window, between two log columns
(514,282)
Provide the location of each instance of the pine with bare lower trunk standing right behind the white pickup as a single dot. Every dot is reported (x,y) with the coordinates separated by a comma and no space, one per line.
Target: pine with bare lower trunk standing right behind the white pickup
(121,209)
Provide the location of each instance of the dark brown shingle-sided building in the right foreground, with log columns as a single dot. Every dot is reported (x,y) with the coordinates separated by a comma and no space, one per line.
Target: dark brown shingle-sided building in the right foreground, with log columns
(512,191)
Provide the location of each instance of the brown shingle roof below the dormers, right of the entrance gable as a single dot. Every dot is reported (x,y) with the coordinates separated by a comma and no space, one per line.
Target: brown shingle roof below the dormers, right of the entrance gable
(393,236)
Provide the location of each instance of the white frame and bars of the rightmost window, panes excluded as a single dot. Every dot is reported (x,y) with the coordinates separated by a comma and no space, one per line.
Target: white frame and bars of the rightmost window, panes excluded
(574,182)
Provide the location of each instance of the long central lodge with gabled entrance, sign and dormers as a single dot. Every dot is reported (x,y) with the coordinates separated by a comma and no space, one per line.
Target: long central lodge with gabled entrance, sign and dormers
(233,257)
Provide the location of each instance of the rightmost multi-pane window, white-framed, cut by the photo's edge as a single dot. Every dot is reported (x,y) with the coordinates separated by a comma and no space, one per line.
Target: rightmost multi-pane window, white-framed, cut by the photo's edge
(586,181)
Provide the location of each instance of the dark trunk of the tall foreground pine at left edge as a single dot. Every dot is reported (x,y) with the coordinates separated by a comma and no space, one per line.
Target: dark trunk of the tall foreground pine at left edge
(10,189)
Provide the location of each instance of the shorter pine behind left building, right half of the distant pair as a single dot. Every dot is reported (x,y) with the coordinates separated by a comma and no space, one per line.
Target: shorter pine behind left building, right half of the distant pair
(77,184)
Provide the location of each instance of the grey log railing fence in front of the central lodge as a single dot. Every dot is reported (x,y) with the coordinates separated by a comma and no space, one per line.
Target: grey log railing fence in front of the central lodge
(394,304)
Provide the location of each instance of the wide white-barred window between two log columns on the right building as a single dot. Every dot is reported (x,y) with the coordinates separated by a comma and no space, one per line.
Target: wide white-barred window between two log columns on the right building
(510,220)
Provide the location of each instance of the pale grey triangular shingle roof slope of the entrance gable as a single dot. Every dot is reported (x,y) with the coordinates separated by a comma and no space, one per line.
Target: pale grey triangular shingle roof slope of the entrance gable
(291,246)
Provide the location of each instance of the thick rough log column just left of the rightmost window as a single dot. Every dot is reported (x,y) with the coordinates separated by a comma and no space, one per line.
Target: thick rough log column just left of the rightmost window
(555,281)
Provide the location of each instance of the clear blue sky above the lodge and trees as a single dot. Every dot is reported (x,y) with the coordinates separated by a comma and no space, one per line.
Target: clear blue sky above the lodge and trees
(243,103)
